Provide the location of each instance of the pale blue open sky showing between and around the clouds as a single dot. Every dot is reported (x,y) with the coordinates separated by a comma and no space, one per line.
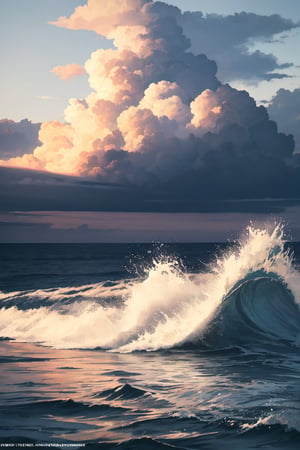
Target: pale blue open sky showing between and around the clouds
(31,47)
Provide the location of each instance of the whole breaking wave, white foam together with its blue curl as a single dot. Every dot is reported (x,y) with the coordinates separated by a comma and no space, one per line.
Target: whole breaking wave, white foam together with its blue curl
(248,295)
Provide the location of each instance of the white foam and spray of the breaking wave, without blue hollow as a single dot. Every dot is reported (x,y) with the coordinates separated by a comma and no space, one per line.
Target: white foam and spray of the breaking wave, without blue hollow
(166,308)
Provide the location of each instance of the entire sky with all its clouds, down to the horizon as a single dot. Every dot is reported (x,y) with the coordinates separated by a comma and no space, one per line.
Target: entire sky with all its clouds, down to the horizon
(148,121)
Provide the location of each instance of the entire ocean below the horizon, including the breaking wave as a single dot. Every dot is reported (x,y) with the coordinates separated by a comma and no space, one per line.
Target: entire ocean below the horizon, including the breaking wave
(182,346)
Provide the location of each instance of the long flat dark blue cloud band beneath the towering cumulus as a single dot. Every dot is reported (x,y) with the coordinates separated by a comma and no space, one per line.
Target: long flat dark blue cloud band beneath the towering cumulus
(31,190)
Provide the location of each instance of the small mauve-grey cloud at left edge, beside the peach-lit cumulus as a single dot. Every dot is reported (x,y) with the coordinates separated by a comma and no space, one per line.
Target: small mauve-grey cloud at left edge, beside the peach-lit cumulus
(17,137)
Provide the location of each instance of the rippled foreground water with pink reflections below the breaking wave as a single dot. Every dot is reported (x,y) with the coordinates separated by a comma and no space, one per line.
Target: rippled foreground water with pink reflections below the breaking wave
(174,396)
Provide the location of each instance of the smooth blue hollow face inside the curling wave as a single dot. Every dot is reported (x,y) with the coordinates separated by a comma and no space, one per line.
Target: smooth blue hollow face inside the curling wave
(259,309)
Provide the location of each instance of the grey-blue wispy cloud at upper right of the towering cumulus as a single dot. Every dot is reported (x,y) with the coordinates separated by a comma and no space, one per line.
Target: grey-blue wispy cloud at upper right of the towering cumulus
(228,40)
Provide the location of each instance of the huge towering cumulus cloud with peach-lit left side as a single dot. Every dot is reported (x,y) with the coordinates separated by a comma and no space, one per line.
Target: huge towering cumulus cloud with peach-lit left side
(157,114)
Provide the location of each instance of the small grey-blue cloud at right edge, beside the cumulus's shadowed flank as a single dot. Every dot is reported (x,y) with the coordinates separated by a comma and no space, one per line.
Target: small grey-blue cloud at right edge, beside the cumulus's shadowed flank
(285,109)
